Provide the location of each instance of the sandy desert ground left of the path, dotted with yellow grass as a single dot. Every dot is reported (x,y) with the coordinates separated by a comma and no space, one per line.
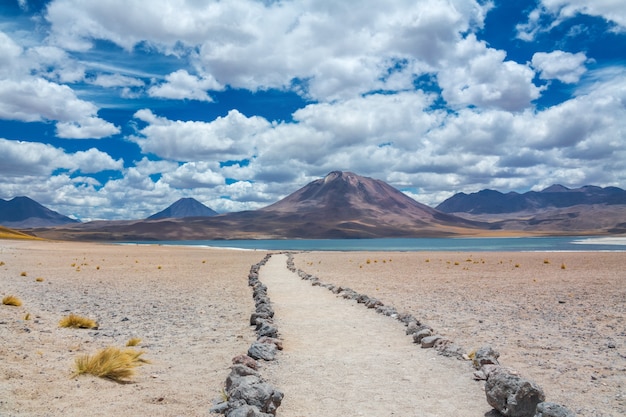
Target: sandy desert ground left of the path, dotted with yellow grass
(189,306)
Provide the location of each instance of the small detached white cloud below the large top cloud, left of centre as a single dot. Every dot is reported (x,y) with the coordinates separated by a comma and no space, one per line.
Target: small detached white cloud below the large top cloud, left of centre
(181,85)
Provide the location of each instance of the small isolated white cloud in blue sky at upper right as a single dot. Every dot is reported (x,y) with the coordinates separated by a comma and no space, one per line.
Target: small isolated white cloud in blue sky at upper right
(563,66)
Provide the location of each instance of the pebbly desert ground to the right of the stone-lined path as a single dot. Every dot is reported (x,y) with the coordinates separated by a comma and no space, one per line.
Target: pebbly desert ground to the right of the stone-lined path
(558,318)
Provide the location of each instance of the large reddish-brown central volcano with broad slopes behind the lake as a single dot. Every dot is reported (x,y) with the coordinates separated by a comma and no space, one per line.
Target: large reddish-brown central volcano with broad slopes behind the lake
(340,205)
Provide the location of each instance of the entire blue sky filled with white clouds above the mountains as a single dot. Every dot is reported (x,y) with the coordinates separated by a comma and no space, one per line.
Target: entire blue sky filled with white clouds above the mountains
(114,109)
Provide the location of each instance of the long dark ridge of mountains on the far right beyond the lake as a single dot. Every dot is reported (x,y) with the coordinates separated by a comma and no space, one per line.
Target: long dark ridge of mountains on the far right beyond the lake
(553,197)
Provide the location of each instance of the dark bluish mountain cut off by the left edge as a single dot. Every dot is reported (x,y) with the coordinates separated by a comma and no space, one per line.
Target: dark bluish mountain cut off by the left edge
(23,212)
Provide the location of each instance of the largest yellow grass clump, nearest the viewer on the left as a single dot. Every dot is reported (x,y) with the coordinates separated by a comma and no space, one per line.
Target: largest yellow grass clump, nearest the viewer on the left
(110,363)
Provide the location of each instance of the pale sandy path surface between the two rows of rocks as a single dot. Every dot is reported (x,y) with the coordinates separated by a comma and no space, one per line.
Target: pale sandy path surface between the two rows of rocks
(342,359)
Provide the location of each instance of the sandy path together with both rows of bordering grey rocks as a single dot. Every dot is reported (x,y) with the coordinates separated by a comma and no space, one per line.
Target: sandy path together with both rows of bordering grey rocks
(333,363)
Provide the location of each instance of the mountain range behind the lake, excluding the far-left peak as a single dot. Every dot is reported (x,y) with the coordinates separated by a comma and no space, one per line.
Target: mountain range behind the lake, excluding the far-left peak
(346,205)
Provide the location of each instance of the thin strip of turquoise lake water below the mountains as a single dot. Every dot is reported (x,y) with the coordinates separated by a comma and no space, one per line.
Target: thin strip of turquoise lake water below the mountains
(505,244)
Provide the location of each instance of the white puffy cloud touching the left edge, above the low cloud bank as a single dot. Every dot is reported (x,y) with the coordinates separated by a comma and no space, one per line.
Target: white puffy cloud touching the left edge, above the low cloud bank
(36,99)
